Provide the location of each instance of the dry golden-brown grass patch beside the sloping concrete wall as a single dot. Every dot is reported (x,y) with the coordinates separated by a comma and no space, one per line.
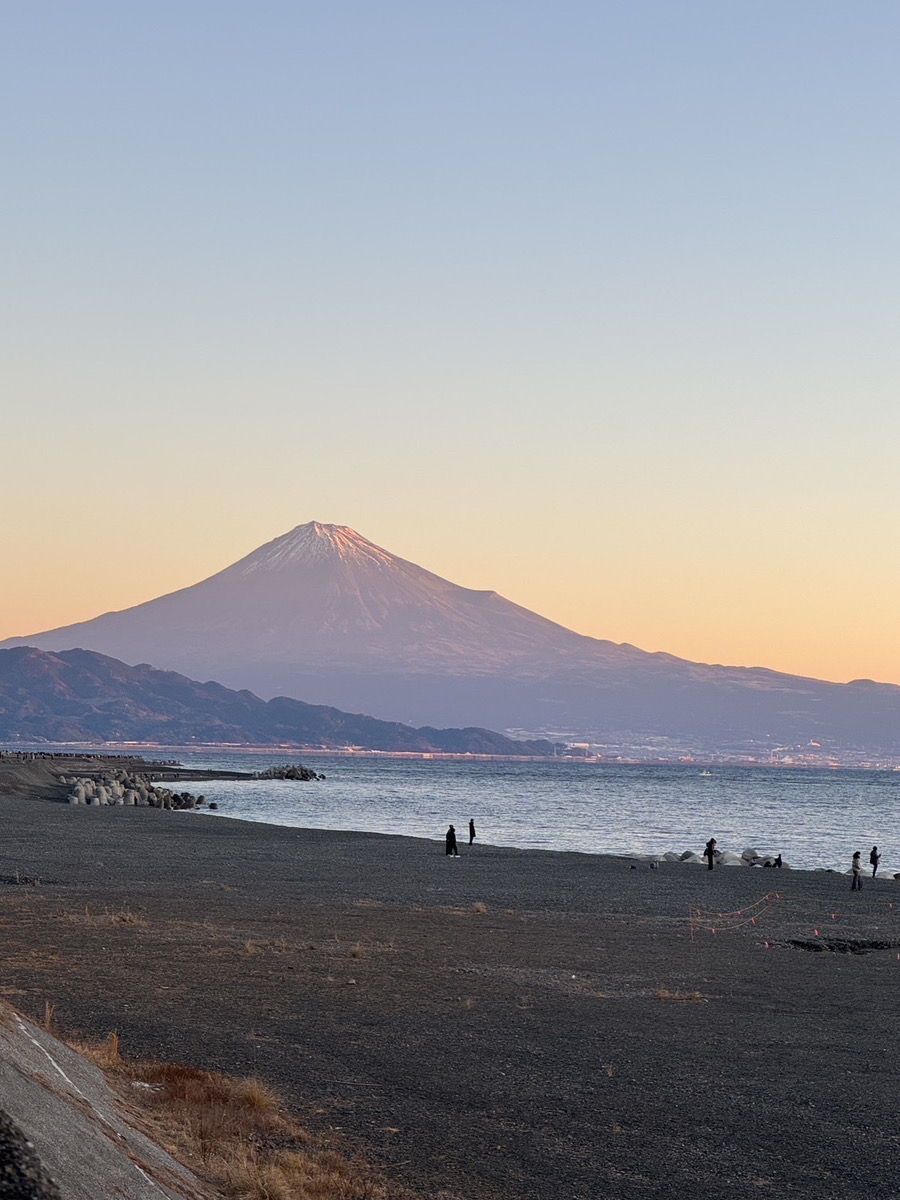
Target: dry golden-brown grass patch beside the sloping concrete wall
(237,1133)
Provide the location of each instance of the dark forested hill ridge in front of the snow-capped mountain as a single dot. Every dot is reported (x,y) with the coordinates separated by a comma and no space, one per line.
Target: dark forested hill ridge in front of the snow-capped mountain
(85,697)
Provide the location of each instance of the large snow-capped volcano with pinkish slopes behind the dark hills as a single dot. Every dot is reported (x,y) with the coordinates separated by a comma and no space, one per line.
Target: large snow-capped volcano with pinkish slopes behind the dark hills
(325,615)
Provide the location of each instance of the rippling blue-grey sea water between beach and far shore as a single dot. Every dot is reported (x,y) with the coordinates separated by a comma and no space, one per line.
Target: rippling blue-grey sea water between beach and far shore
(815,819)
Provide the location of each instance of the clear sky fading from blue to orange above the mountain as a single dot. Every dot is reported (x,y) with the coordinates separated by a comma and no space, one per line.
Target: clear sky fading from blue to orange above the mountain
(595,304)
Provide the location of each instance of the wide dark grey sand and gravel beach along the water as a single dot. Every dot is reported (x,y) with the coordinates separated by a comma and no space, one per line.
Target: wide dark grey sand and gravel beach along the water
(512,1025)
